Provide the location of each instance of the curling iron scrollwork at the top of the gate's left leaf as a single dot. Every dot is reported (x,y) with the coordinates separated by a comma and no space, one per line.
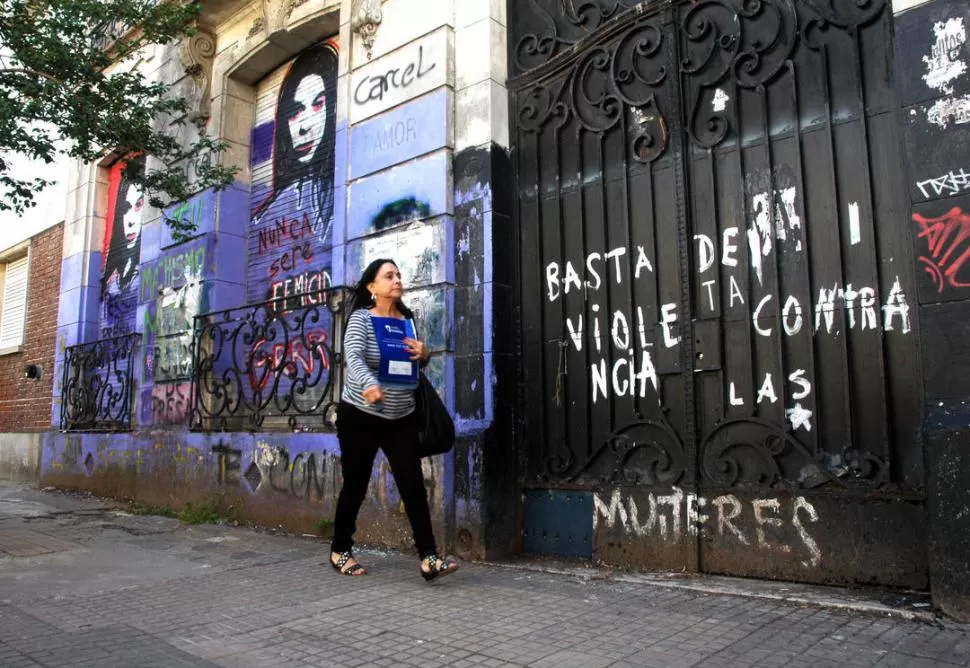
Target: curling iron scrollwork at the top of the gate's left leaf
(624,76)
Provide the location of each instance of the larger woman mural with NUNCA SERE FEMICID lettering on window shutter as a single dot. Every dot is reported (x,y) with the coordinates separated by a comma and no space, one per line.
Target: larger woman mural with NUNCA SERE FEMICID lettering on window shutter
(290,239)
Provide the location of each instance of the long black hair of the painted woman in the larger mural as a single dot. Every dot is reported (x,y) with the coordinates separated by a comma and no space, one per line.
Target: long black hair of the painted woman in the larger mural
(317,175)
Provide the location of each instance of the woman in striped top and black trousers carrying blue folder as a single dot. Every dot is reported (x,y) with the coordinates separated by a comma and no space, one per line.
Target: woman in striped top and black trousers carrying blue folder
(377,410)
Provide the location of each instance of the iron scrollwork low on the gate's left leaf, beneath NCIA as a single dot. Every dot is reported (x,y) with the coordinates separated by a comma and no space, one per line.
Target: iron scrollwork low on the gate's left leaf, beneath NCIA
(661,457)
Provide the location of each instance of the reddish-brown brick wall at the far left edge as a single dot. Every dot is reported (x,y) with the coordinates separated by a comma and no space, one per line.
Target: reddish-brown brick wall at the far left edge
(25,405)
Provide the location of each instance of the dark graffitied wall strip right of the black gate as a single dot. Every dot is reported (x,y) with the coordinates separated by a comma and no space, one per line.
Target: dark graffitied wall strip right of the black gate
(933,78)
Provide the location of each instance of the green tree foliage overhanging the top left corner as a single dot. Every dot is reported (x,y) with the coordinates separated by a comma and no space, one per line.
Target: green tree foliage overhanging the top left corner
(66,75)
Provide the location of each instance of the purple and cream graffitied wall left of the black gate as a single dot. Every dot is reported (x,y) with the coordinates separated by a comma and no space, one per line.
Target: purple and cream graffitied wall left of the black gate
(417,126)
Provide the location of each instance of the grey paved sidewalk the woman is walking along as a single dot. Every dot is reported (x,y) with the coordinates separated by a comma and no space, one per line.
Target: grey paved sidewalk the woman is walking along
(106,590)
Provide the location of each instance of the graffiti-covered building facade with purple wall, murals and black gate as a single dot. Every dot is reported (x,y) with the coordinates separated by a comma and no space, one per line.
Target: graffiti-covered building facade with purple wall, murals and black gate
(689,272)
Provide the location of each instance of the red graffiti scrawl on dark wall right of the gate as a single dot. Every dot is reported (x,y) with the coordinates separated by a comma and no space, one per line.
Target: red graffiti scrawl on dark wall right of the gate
(948,245)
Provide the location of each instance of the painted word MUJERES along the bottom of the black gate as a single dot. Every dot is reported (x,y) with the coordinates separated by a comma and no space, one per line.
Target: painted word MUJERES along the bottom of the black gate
(670,516)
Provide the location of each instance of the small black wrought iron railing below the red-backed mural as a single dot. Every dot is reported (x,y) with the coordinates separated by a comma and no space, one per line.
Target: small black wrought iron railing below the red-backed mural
(98,388)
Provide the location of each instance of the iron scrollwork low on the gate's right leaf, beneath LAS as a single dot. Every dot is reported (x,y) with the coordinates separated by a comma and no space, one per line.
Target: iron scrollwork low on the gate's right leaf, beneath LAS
(751,452)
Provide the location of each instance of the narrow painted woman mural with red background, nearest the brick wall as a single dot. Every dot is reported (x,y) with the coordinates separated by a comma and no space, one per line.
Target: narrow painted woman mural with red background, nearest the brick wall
(121,252)
